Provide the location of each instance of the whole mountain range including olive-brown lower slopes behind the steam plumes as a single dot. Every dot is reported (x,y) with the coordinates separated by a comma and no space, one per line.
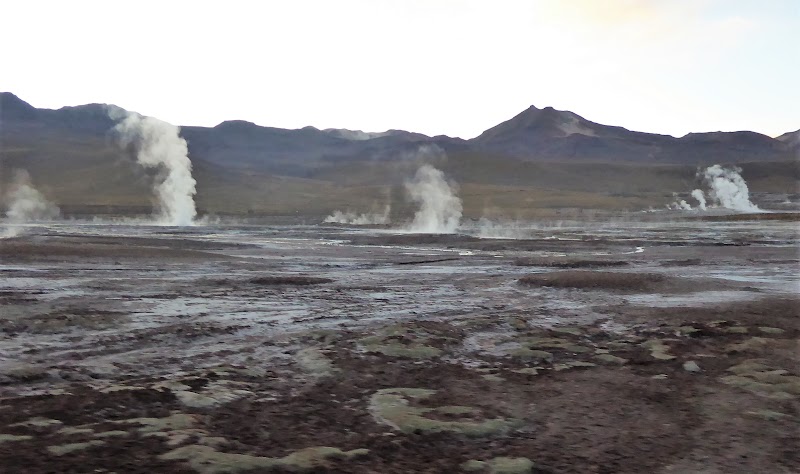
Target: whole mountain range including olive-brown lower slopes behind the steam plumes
(71,151)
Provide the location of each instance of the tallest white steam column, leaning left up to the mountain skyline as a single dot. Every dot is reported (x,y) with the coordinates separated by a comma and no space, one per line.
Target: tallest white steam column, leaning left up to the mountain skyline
(158,145)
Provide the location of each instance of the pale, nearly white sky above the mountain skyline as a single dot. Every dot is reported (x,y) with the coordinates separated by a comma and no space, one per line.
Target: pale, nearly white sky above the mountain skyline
(454,67)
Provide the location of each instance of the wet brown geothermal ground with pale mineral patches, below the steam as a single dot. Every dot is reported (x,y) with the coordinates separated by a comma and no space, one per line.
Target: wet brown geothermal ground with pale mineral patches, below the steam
(622,346)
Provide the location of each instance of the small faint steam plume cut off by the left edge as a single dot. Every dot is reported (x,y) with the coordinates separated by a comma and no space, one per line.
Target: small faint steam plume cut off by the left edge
(25,203)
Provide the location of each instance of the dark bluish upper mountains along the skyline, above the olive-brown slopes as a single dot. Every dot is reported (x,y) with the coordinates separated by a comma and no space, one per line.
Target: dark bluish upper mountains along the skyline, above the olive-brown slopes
(533,135)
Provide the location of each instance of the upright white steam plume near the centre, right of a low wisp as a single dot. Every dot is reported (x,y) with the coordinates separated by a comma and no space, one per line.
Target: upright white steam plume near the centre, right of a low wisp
(440,209)
